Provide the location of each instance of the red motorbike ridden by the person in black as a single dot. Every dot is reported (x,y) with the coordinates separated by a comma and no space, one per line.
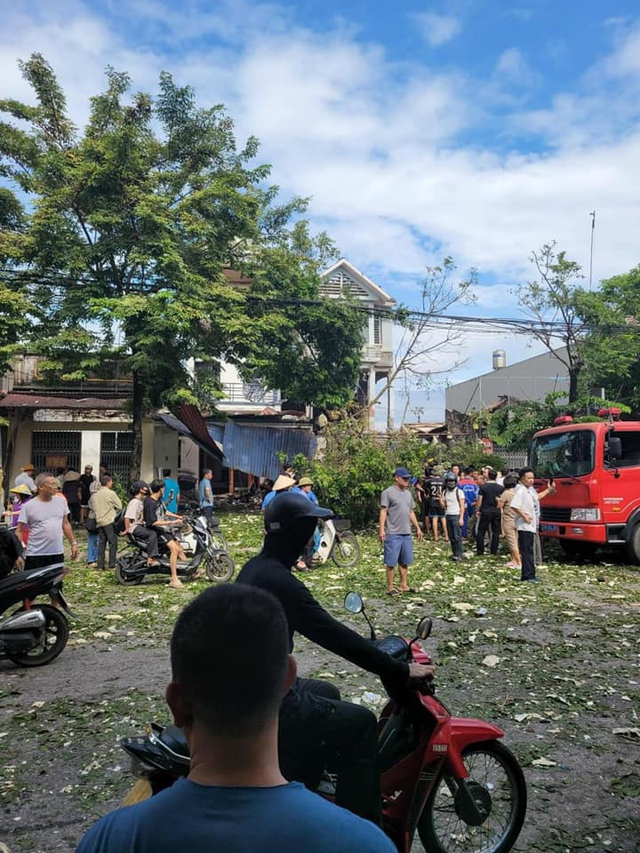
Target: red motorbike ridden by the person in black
(448,778)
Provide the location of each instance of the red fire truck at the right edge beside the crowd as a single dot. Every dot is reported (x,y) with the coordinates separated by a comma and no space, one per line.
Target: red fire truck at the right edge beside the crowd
(595,468)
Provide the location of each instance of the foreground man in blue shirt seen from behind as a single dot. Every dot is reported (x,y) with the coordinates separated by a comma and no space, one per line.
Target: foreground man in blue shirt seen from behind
(230,670)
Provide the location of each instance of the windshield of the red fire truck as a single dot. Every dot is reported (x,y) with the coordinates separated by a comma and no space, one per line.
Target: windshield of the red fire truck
(564,454)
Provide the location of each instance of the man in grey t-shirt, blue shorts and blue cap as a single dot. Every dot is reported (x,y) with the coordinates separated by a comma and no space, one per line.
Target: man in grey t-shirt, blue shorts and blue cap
(397,517)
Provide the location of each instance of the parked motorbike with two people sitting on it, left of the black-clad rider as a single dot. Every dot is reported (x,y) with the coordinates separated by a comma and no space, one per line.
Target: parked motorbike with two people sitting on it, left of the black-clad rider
(201,548)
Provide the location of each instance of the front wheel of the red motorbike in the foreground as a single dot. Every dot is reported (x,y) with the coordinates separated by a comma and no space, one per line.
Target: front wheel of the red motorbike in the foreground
(496,782)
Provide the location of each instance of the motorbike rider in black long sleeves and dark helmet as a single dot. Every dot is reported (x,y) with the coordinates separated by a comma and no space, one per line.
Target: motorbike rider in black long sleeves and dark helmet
(316,728)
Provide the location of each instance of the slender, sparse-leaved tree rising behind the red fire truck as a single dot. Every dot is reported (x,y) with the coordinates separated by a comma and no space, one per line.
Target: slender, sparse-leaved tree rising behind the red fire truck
(552,302)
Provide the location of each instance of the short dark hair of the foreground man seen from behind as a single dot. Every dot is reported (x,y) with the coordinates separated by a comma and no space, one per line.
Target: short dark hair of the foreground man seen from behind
(215,636)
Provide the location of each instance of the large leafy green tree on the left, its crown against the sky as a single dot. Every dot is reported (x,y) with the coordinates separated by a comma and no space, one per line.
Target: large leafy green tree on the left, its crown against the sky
(127,233)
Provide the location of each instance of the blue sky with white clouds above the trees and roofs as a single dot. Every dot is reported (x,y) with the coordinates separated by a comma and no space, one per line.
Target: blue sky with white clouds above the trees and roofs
(475,129)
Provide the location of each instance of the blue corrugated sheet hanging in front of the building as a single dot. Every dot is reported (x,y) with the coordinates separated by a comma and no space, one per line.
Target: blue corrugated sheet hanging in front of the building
(254,449)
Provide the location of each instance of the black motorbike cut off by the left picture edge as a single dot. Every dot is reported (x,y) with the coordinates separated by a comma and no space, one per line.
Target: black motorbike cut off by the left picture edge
(33,635)
